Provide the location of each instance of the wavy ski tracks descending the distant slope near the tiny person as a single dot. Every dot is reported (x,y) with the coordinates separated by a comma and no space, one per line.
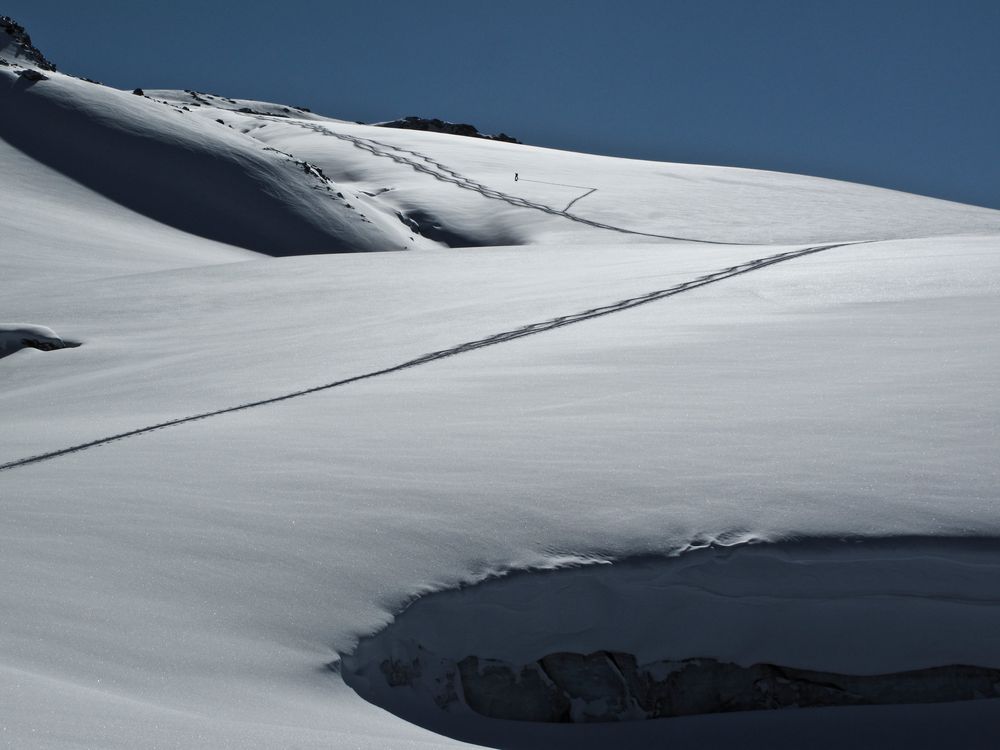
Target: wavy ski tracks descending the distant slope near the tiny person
(439,171)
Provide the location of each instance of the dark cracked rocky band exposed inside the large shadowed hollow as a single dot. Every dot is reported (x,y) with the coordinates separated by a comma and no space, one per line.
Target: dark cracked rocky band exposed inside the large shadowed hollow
(607,686)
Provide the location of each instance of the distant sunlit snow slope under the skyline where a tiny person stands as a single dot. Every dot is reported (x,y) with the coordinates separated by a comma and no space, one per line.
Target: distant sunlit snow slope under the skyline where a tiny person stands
(468,188)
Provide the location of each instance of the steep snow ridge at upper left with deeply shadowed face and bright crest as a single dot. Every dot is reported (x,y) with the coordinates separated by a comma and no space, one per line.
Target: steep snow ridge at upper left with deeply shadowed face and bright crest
(193,174)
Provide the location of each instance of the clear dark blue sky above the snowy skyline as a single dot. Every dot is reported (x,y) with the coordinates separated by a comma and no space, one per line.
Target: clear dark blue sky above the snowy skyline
(898,93)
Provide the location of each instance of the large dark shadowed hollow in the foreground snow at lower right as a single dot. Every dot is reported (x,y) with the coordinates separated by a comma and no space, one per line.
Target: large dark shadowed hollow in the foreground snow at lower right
(824,642)
